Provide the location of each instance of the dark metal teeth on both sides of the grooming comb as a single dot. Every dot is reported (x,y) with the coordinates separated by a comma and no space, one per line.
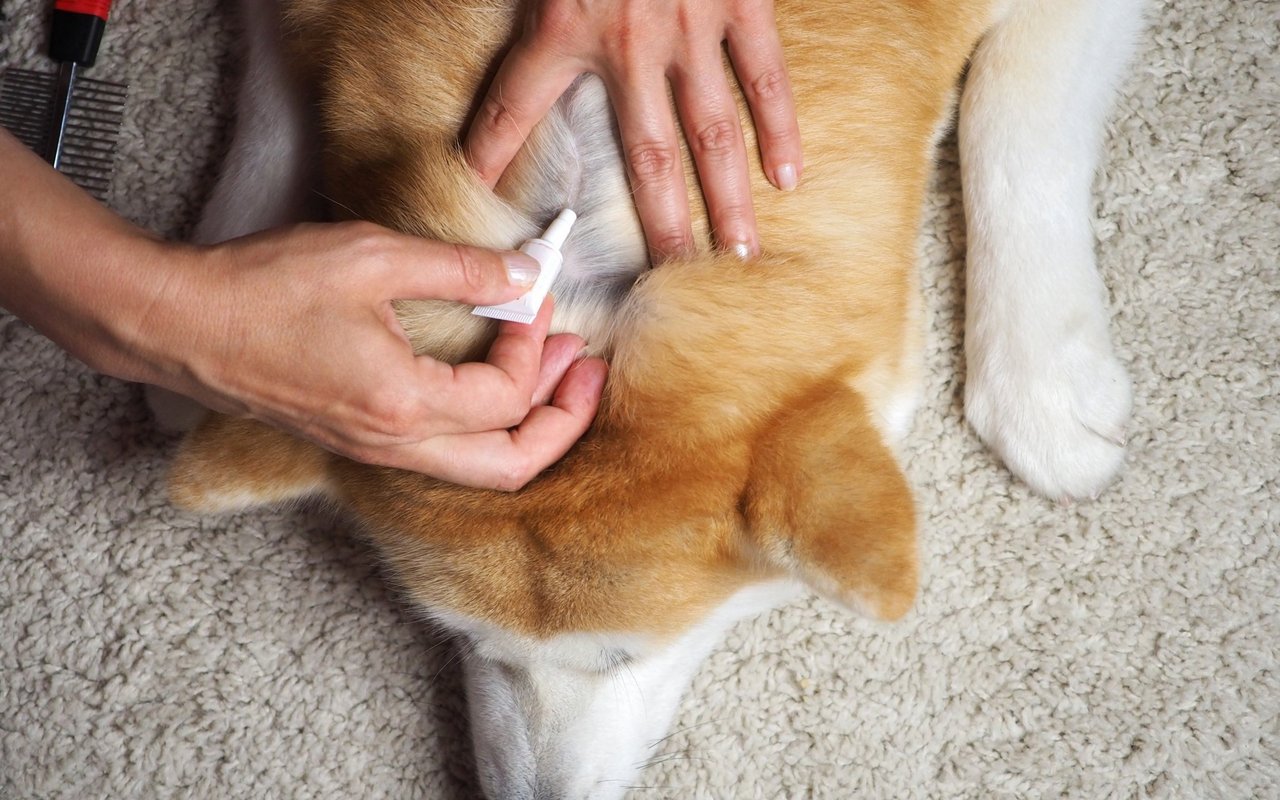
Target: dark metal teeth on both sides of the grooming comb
(93,129)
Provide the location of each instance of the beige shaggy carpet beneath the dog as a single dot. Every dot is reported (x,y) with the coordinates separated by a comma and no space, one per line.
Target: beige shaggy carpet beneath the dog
(1126,648)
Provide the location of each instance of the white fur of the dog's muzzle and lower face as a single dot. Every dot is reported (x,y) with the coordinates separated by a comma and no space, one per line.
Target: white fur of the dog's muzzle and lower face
(584,714)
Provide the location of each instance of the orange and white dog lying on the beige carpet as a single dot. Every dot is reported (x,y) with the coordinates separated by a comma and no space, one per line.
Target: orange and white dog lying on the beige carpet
(744,447)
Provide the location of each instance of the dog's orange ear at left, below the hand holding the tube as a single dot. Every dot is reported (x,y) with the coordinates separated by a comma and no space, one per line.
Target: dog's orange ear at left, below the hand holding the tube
(230,464)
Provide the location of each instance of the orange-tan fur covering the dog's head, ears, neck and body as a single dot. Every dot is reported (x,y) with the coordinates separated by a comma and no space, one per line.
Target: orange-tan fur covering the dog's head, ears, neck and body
(742,435)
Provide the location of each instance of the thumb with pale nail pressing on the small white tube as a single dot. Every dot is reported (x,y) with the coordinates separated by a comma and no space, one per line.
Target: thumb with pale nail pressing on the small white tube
(437,271)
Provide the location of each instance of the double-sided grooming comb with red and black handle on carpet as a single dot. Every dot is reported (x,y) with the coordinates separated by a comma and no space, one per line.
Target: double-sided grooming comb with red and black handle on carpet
(72,122)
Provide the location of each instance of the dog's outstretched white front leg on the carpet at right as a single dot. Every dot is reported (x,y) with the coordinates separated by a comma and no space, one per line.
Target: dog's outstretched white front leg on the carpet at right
(1044,387)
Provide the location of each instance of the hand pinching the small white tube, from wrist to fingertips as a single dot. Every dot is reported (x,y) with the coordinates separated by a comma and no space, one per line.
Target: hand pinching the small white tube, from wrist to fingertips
(296,328)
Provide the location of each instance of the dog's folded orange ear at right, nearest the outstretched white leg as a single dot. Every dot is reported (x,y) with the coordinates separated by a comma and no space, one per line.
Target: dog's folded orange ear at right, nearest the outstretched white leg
(829,502)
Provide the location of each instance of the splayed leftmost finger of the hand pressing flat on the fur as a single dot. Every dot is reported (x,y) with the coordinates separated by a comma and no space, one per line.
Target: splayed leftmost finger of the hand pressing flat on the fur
(527,86)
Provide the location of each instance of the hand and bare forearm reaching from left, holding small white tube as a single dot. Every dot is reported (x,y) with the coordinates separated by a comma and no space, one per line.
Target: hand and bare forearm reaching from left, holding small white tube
(296,327)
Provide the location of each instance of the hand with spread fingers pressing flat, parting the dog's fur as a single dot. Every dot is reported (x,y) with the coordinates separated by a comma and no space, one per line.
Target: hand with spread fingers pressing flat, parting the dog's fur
(637,47)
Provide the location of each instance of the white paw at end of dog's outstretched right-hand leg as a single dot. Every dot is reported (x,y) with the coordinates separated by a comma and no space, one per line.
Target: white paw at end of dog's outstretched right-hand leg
(1054,405)
